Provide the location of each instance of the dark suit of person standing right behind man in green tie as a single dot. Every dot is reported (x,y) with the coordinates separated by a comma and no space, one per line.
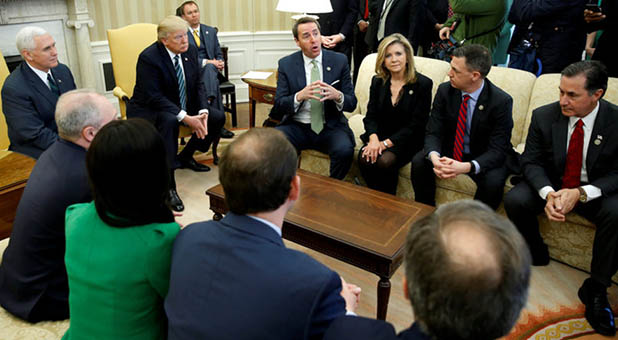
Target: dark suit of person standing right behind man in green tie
(340,20)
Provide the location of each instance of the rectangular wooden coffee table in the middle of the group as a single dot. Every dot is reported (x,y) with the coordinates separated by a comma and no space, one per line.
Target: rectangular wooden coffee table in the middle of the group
(351,223)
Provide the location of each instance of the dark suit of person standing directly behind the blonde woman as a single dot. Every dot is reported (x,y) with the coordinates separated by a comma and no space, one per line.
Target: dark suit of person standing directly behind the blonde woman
(405,17)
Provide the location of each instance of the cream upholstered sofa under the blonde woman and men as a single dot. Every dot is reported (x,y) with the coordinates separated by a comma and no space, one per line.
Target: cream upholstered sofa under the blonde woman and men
(569,242)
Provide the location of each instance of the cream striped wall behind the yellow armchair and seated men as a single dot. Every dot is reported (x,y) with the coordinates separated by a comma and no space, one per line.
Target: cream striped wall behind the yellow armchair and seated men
(227,15)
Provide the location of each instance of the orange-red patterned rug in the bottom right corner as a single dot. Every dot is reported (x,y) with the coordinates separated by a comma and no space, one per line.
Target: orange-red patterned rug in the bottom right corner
(565,323)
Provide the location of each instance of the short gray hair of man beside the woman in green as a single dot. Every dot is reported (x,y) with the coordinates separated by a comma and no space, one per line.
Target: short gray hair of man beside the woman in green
(77,109)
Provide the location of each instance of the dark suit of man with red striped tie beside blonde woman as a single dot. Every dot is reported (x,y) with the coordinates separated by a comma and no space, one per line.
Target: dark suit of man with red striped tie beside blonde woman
(490,142)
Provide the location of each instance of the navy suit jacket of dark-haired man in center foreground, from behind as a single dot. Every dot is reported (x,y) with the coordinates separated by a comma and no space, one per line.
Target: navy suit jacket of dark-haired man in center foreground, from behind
(235,279)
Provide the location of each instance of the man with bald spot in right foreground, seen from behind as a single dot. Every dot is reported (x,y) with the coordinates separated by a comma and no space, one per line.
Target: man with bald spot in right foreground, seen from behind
(467,278)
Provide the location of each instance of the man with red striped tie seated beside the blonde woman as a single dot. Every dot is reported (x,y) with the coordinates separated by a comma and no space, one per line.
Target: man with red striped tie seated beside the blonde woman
(469,131)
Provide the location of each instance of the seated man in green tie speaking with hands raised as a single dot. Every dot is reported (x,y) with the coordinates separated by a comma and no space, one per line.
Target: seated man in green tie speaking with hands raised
(313,89)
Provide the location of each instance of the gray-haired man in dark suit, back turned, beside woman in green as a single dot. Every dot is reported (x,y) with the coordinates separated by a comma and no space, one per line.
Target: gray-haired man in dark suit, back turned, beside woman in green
(33,278)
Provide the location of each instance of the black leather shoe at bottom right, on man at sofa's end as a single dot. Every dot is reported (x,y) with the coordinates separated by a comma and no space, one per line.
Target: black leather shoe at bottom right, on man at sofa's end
(598,312)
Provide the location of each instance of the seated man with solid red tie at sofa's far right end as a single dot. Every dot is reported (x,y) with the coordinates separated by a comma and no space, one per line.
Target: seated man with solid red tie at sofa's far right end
(570,164)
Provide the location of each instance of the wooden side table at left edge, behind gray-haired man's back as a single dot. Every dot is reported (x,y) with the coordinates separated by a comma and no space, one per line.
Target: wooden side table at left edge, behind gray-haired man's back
(15,169)
